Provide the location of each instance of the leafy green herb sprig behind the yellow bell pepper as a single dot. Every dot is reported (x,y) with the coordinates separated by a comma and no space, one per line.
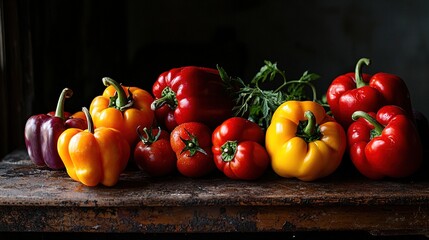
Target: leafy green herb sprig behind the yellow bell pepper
(258,104)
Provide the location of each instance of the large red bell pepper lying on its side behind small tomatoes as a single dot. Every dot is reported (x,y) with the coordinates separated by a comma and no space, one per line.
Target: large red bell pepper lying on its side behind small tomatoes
(191,94)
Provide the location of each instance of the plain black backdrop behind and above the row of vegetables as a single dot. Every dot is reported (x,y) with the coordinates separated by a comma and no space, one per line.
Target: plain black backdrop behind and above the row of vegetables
(48,45)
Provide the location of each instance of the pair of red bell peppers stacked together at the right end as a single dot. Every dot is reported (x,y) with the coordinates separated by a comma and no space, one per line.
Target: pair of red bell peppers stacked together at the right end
(376,111)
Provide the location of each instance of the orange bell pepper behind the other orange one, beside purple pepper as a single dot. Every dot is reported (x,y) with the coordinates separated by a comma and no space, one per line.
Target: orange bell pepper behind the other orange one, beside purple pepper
(122,108)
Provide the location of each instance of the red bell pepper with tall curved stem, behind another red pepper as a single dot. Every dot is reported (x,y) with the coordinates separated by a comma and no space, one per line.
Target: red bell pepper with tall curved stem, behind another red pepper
(362,92)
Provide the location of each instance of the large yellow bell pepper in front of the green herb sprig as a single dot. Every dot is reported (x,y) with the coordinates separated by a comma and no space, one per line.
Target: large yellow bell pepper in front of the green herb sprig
(304,142)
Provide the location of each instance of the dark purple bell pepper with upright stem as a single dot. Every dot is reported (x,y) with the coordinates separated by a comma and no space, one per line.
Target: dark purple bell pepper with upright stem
(42,131)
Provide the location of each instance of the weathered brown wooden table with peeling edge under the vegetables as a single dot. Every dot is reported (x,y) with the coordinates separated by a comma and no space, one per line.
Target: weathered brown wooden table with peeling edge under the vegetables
(38,199)
